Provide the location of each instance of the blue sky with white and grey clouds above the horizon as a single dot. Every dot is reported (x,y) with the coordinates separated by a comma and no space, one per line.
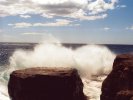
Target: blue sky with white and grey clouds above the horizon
(70,21)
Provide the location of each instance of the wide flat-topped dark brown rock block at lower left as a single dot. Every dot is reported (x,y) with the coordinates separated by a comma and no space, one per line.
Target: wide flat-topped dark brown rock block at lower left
(45,84)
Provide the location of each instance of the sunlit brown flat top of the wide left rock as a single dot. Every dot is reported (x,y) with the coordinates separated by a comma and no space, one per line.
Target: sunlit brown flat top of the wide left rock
(44,71)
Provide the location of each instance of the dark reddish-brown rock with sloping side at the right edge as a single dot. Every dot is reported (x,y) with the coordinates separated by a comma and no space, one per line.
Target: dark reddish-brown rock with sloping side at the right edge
(119,83)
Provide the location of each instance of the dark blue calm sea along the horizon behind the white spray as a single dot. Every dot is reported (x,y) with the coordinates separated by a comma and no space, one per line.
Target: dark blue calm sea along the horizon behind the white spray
(7,49)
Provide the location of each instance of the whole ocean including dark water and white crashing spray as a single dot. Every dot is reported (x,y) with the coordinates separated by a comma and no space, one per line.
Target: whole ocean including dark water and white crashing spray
(93,61)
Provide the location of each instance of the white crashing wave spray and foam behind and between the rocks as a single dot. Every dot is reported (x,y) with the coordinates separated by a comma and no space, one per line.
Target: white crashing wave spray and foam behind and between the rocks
(94,62)
